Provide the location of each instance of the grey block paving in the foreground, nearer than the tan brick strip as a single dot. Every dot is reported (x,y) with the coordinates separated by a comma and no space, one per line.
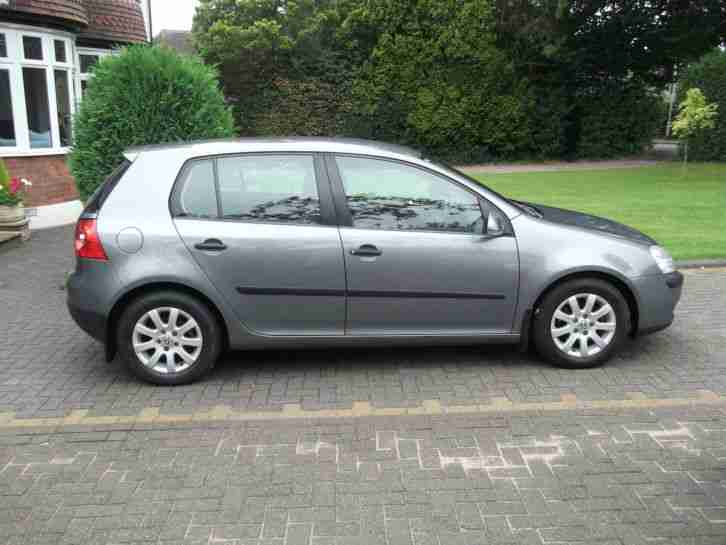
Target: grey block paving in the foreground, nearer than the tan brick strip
(599,478)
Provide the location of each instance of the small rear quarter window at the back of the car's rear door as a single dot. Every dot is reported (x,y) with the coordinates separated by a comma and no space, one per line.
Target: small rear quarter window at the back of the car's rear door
(195,195)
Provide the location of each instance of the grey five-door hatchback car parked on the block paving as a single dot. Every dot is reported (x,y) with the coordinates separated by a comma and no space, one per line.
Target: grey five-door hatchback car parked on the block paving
(188,250)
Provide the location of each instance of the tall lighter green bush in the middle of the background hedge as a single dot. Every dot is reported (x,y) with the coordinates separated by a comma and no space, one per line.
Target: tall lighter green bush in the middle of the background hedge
(436,80)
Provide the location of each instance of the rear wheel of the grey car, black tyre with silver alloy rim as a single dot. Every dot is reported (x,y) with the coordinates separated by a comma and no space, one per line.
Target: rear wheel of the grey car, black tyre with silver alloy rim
(193,346)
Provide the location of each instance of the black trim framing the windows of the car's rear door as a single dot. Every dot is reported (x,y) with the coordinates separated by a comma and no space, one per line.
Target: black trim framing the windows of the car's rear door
(327,209)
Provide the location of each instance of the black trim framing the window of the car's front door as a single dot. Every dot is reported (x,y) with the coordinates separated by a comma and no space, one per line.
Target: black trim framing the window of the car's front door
(346,218)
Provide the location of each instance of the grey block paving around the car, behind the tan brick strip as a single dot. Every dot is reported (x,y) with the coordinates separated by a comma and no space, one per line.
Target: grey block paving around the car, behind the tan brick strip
(49,367)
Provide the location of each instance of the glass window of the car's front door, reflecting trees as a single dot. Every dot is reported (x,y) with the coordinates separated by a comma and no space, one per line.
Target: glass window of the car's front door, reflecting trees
(389,195)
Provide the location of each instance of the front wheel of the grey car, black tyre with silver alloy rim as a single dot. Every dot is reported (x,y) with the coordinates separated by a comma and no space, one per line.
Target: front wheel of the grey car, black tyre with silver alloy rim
(602,339)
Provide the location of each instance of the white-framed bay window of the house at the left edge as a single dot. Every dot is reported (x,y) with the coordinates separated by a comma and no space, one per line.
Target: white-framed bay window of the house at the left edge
(37,95)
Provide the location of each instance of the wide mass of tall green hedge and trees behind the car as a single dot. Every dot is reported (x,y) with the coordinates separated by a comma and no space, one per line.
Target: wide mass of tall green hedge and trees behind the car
(464,80)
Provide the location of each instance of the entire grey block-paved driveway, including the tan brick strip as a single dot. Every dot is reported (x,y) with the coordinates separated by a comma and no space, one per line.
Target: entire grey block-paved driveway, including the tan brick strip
(457,446)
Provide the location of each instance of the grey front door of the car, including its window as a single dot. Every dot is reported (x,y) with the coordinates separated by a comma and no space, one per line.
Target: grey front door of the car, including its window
(417,259)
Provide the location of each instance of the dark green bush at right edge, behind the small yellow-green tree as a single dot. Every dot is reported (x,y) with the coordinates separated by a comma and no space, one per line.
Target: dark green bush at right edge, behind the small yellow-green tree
(709,75)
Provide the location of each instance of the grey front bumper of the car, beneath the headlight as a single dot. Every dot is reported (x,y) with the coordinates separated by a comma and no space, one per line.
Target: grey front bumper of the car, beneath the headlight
(658,296)
